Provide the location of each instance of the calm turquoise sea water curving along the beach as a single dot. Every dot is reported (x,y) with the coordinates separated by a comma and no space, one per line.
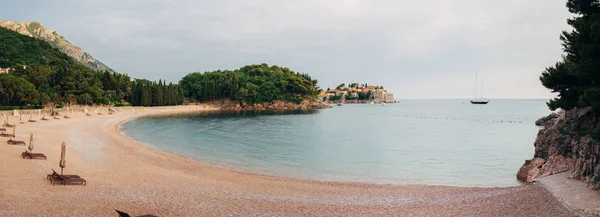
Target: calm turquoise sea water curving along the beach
(433,142)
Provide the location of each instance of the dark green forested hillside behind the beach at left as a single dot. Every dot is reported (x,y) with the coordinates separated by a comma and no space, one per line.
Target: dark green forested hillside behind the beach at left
(40,74)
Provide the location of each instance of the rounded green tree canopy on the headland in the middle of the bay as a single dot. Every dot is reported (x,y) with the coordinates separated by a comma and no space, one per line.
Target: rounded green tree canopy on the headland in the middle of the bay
(252,84)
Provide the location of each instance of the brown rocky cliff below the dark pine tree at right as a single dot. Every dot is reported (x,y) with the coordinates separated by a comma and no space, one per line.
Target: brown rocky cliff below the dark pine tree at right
(568,142)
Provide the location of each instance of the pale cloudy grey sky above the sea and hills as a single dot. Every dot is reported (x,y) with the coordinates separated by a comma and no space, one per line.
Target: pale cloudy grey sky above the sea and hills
(414,48)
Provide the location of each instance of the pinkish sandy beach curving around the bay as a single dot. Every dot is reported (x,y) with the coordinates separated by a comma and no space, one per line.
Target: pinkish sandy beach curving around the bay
(131,177)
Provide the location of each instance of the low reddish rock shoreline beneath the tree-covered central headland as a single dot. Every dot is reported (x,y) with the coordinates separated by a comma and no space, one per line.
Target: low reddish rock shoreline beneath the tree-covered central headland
(307,104)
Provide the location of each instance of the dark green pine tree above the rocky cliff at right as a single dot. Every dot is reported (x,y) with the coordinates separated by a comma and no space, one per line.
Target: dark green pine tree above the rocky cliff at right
(576,78)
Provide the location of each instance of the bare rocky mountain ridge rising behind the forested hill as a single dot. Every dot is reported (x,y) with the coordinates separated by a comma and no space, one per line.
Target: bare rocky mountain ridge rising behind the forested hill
(36,30)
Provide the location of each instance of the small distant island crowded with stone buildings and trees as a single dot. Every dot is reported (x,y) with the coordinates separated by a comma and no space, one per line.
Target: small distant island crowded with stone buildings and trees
(357,93)
